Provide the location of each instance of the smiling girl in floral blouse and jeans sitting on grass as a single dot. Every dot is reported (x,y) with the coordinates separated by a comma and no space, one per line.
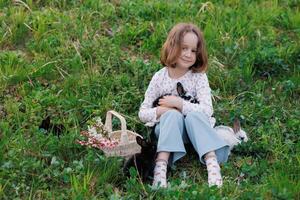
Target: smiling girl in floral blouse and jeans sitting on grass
(178,121)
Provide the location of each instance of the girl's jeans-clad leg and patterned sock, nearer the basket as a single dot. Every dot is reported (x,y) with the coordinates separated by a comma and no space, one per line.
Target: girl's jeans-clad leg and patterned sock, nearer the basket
(170,139)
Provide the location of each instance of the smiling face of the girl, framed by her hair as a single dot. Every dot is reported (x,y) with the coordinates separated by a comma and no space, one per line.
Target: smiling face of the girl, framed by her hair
(188,51)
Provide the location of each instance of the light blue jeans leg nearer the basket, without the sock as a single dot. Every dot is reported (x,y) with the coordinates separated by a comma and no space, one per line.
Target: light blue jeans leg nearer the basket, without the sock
(171,135)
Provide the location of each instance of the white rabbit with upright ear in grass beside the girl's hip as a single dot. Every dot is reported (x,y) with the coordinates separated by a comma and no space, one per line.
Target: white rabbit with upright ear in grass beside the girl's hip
(233,136)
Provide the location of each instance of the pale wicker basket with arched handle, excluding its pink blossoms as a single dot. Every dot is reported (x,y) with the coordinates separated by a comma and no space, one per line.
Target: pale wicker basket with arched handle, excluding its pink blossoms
(127,145)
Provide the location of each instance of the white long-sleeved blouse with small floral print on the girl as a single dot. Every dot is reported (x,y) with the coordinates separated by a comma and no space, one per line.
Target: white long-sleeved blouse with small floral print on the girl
(195,84)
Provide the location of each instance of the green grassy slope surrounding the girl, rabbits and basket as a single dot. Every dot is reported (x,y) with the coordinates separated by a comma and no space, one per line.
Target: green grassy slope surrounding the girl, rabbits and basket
(74,60)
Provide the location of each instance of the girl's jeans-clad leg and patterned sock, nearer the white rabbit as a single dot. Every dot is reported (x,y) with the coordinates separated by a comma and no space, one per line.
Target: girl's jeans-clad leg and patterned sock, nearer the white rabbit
(210,148)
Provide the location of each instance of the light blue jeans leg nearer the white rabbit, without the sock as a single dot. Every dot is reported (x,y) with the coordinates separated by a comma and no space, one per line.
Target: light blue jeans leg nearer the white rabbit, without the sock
(204,138)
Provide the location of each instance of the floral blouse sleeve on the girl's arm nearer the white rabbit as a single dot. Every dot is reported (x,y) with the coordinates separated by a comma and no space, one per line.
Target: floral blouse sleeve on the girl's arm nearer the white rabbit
(203,95)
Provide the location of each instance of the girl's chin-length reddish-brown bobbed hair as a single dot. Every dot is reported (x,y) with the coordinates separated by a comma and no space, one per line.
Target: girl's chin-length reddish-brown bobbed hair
(172,47)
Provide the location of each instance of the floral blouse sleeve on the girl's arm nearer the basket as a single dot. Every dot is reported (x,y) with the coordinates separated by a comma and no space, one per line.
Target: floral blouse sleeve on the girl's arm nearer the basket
(147,114)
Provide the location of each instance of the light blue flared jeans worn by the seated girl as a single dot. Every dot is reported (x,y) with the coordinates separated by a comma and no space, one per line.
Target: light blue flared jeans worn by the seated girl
(175,129)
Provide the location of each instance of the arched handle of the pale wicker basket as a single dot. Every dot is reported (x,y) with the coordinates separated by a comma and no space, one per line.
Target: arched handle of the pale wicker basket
(108,125)
